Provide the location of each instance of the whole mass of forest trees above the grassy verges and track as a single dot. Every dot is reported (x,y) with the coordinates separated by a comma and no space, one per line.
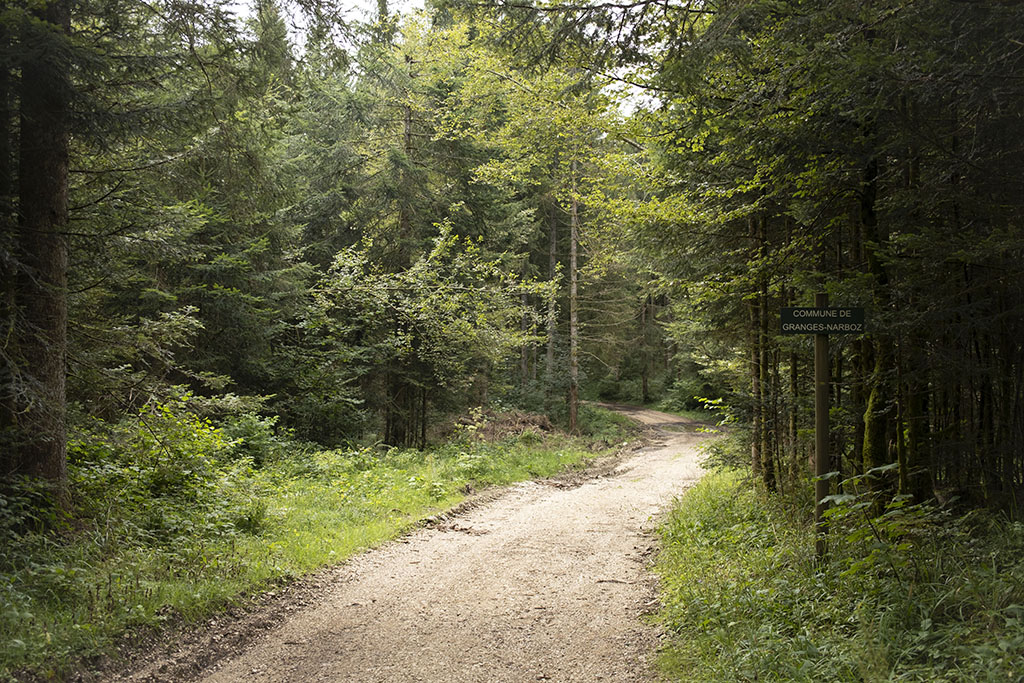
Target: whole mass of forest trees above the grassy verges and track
(364,229)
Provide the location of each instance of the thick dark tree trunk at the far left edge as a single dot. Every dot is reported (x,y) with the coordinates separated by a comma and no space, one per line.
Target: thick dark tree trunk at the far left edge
(42,283)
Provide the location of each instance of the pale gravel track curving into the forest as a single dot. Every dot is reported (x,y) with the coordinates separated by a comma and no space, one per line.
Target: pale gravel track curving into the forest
(545,581)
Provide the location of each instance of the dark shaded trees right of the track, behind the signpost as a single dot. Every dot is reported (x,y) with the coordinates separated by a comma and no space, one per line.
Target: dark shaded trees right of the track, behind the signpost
(794,152)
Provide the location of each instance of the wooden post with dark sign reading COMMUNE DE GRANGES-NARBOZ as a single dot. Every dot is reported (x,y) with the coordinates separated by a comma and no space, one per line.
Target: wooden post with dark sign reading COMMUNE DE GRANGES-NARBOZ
(822,321)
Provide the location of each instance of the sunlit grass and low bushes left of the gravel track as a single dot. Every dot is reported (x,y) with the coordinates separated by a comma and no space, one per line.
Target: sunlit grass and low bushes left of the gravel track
(176,520)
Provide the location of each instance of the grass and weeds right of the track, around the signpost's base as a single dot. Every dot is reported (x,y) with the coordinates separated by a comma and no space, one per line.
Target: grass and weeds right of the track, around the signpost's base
(916,594)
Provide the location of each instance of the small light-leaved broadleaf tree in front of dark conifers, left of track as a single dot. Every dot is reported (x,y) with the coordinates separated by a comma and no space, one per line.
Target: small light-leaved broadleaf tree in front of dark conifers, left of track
(430,328)
